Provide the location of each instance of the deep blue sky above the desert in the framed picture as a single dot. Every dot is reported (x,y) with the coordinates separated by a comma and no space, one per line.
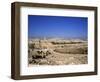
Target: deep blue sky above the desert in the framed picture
(57,26)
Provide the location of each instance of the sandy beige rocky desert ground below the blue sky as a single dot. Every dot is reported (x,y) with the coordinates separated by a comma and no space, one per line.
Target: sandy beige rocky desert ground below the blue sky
(57,52)
